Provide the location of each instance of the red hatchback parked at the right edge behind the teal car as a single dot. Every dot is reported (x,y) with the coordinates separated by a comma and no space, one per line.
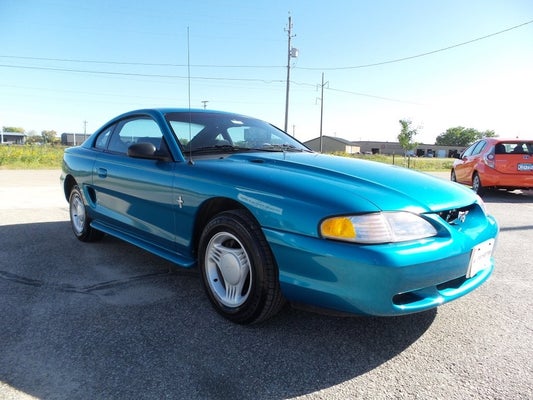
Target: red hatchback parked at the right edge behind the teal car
(495,163)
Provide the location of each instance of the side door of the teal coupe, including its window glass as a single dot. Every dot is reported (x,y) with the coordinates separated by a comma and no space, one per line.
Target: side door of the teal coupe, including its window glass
(134,196)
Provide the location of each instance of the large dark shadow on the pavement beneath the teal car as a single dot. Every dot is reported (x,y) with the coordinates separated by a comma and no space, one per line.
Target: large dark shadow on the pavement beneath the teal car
(108,320)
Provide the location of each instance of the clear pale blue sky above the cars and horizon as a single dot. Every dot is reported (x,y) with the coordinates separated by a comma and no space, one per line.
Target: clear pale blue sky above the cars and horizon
(63,62)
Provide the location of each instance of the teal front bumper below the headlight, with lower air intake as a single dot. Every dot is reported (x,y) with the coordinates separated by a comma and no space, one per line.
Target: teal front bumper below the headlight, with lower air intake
(382,280)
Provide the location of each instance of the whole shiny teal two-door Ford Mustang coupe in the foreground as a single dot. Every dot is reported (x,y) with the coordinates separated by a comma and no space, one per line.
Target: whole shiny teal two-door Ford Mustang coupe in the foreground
(267,221)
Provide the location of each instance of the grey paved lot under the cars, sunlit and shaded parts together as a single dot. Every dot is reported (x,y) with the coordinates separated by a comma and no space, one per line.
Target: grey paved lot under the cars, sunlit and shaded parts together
(110,321)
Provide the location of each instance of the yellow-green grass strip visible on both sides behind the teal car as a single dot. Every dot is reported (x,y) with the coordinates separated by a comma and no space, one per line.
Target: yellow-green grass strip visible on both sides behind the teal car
(49,157)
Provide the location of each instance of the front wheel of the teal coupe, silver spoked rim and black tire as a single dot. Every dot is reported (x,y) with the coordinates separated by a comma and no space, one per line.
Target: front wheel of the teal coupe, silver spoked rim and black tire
(238,269)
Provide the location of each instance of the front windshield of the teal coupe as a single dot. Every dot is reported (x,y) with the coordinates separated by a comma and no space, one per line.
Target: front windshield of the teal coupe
(201,132)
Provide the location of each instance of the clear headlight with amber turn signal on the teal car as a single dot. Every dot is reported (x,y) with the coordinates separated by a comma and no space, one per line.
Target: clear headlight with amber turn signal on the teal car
(383,227)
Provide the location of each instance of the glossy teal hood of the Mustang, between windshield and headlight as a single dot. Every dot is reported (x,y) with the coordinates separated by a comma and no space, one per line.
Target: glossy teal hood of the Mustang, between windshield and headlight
(386,187)
